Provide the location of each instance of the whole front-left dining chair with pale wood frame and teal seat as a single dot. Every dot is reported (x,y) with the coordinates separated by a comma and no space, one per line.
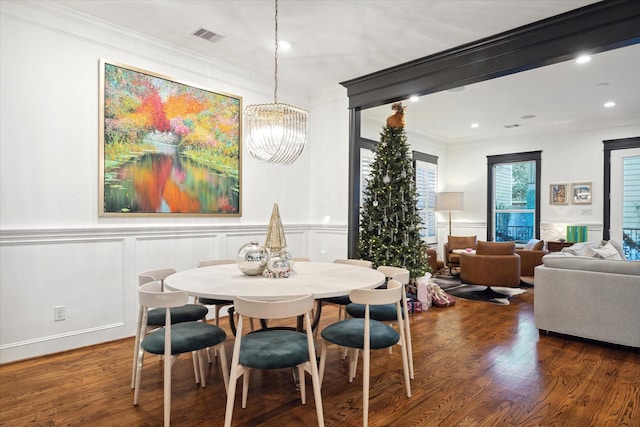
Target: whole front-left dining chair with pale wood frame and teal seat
(174,339)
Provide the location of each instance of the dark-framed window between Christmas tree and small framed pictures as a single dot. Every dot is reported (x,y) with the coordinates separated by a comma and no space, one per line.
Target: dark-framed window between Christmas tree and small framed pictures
(513,209)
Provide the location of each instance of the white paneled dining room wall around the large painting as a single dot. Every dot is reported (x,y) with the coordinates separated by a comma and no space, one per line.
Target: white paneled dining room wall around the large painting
(56,250)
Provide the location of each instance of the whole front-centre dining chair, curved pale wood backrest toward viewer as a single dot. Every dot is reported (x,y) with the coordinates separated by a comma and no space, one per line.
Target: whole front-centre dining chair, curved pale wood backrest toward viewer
(274,348)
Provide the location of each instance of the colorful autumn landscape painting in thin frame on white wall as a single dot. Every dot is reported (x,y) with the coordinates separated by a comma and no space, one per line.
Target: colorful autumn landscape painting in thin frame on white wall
(167,147)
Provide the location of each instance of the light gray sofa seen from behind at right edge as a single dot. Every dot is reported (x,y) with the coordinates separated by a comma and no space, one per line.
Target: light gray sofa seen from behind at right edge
(589,297)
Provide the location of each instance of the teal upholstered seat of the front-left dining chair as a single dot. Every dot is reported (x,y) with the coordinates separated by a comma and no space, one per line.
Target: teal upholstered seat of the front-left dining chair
(185,338)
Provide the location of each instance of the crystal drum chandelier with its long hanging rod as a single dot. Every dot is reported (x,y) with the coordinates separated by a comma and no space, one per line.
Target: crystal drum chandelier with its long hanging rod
(276,133)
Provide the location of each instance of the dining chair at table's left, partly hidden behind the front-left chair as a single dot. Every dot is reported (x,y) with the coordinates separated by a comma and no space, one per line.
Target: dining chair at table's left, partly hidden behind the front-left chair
(155,318)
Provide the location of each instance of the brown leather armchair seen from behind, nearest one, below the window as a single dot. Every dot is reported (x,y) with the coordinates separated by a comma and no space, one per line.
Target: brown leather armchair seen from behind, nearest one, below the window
(493,264)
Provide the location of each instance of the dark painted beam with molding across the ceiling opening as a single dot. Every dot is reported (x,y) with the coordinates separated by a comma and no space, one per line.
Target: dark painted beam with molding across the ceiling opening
(594,28)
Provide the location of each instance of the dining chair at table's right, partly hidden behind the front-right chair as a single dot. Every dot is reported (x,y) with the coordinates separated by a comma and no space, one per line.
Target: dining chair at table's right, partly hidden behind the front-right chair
(386,313)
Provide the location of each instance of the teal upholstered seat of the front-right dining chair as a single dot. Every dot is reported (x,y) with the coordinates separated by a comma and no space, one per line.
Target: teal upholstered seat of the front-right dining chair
(350,333)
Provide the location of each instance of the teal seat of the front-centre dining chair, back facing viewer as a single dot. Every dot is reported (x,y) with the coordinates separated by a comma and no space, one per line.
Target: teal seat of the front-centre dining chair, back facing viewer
(274,349)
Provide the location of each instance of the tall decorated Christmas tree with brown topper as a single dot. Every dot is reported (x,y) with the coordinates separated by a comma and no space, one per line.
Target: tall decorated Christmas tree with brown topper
(390,224)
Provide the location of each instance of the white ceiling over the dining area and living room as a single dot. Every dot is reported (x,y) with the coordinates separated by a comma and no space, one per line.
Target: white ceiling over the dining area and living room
(338,40)
